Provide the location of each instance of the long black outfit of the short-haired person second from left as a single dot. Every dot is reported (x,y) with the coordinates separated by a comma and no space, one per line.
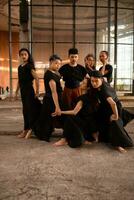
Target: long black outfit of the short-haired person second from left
(44,126)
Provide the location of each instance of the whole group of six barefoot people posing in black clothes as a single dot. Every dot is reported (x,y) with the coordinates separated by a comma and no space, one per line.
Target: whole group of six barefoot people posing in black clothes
(86,108)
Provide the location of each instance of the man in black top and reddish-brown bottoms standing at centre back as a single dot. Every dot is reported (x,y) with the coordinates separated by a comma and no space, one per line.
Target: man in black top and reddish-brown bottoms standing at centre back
(72,74)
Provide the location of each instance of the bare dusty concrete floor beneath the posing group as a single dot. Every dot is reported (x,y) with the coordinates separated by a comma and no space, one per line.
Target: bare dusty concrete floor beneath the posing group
(36,170)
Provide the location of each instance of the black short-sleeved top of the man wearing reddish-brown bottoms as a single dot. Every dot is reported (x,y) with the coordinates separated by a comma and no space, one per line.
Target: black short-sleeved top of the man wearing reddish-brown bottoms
(72,75)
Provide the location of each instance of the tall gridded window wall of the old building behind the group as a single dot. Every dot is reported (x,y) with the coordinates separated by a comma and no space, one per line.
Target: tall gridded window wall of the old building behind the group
(54,26)
